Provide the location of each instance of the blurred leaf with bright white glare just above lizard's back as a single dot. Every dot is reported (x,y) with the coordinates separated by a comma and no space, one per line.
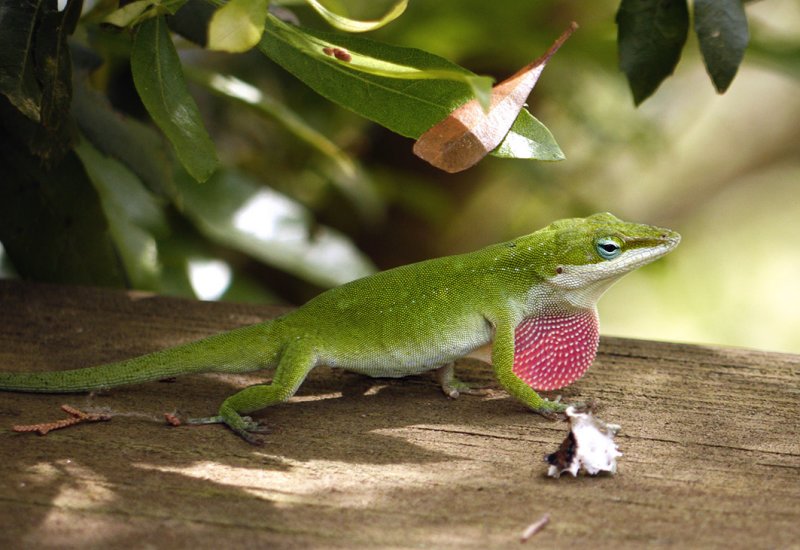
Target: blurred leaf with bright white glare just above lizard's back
(238,212)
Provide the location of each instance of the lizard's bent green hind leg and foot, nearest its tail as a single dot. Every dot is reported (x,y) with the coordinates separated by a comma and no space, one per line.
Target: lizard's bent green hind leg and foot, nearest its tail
(295,363)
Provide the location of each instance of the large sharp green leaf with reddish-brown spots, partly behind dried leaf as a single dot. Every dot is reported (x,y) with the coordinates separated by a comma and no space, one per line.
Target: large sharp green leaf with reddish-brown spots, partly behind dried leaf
(408,103)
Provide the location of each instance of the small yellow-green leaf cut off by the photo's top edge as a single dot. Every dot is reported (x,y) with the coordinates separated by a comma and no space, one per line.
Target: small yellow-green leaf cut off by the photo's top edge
(237,26)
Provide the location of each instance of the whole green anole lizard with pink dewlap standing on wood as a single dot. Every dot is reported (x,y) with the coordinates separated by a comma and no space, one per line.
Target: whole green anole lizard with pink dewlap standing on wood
(533,299)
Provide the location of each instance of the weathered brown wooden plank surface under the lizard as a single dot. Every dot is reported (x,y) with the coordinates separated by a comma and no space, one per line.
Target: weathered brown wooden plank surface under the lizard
(710,436)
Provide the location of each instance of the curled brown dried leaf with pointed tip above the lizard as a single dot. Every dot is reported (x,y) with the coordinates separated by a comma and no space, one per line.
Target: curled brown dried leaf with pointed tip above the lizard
(469,133)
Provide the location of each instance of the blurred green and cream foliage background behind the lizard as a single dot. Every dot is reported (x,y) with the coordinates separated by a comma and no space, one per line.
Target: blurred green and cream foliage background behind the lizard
(723,170)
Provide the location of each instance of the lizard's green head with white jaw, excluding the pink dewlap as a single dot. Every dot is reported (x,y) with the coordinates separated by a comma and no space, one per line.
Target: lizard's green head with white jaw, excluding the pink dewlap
(585,256)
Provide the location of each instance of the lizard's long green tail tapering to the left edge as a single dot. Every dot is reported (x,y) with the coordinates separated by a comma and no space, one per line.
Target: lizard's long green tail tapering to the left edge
(241,350)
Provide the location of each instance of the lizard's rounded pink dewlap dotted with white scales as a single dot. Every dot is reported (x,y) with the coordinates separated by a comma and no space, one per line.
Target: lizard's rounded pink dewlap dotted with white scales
(552,351)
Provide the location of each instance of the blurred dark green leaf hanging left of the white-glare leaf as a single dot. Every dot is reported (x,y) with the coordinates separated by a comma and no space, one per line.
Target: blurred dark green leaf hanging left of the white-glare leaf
(134,216)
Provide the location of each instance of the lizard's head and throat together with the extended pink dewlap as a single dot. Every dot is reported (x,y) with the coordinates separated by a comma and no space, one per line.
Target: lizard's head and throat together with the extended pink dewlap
(576,260)
